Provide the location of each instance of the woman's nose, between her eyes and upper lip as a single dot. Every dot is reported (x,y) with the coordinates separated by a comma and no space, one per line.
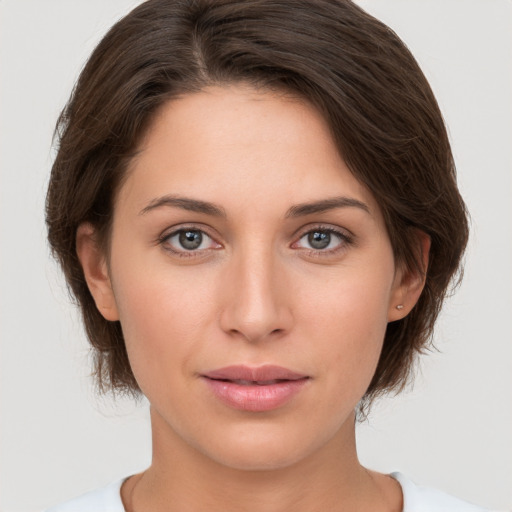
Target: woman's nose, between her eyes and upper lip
(257,301)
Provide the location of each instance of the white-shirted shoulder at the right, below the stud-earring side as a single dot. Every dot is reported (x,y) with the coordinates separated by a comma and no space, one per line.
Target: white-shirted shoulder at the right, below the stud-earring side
(426,499)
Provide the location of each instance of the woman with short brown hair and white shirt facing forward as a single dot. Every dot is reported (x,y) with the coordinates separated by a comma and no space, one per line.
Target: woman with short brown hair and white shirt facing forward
(254,203)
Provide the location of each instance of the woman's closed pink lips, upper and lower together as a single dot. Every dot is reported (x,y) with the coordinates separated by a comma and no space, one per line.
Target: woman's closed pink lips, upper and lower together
(255,389)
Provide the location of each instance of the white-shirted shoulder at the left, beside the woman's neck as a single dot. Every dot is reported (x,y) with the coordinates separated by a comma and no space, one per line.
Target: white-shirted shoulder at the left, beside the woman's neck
(104,499)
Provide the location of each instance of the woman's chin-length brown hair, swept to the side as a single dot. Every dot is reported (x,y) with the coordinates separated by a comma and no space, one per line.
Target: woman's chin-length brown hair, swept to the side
(354,69)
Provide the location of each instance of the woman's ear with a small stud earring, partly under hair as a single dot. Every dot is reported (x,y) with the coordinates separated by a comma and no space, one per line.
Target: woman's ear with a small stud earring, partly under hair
(409,283)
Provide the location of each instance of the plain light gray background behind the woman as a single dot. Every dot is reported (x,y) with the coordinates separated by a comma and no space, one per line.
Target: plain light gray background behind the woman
(452,431)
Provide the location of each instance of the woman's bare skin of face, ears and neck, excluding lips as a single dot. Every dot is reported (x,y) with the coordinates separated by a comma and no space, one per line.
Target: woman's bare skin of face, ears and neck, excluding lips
(255,292)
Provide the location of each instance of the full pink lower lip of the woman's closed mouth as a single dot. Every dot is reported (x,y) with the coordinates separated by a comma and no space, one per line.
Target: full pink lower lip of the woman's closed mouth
(255,398)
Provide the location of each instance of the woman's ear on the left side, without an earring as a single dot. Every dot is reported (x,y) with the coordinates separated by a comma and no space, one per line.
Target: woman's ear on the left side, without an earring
(95,269)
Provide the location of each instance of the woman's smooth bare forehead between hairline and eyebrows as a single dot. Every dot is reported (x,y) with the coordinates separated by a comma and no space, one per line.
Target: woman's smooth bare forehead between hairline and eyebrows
(237,145)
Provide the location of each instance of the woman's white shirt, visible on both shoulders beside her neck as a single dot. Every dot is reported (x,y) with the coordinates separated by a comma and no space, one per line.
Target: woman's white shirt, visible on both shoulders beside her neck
(416,499)
